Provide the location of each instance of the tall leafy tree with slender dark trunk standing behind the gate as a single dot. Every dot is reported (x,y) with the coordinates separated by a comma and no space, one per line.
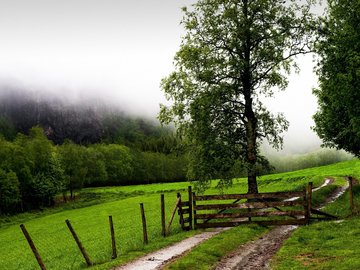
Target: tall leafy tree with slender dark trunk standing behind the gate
(234,53)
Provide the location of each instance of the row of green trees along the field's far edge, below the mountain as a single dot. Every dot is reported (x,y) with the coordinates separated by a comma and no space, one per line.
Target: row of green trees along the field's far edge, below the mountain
(33,170)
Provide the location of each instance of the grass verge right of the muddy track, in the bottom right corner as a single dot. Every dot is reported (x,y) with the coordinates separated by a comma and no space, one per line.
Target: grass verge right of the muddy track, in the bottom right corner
(327,244)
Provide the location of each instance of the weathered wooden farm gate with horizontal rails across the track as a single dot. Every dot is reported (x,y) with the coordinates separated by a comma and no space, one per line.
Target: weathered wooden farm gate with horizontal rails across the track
(262,208)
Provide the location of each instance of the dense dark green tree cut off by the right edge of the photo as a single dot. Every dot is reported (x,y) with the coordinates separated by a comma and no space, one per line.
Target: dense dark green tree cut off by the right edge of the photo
(338,118)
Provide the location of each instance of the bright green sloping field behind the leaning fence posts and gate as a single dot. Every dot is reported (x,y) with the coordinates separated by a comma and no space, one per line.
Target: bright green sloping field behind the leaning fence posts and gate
(90,220)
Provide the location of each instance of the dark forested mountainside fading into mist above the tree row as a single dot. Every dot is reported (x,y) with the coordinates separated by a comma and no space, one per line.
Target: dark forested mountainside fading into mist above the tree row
(81,122)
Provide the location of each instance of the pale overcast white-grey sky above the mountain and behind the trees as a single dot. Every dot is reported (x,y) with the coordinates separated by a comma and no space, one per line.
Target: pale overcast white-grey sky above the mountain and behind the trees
(119,50)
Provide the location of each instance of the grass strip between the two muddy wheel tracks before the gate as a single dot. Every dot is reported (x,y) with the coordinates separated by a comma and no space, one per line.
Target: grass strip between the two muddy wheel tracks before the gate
(206,255)
